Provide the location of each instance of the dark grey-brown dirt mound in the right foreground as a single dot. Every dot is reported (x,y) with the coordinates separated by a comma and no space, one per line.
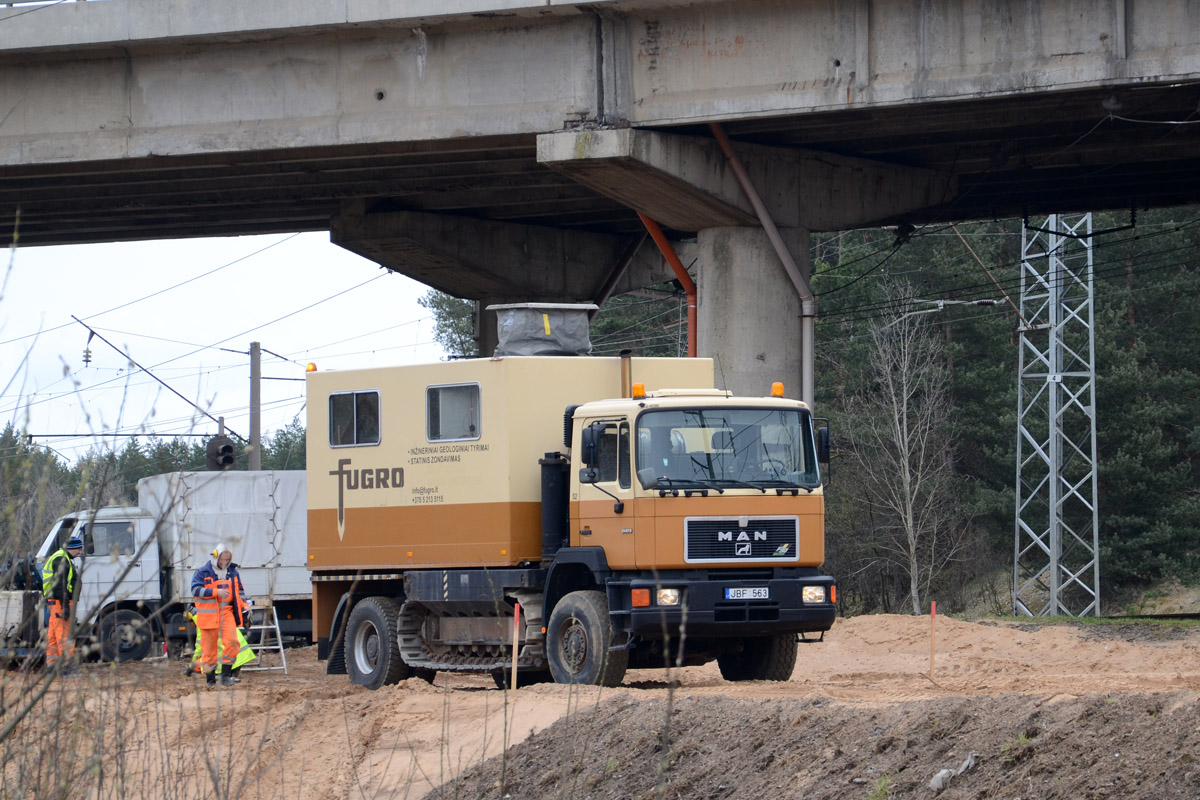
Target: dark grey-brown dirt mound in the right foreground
(1013,747)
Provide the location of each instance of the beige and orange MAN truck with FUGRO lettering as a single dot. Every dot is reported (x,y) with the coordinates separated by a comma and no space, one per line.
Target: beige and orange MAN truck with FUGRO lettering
(583,512)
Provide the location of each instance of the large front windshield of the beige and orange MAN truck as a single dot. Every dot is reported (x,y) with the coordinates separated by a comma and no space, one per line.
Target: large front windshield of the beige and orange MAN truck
(728,447)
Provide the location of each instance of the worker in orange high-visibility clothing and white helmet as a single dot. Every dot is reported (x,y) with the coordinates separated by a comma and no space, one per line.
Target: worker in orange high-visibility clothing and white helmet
(220,610)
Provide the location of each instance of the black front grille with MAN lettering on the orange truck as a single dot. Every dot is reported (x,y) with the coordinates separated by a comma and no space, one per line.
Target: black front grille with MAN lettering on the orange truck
(763,540)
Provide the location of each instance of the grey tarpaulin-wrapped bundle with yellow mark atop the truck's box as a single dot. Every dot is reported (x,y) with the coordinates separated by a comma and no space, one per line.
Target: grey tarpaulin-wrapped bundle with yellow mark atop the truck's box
(543,329)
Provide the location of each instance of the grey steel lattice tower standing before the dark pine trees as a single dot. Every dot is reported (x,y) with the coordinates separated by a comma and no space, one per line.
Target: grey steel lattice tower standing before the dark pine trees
(1057,564)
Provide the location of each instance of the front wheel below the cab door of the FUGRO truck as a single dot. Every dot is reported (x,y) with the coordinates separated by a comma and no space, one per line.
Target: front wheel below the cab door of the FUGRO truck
(578,642)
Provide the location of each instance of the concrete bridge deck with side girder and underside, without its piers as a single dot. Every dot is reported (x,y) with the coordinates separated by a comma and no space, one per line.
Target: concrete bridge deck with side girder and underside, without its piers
(134,119)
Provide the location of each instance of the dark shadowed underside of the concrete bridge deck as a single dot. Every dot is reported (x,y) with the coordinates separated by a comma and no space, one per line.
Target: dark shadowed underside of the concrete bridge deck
(1025,154)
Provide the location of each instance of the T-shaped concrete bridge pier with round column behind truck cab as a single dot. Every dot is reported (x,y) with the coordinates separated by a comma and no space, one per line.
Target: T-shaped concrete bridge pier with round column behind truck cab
(749,309)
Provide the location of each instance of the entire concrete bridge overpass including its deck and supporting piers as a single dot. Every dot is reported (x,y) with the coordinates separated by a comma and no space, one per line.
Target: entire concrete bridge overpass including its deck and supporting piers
(501,149)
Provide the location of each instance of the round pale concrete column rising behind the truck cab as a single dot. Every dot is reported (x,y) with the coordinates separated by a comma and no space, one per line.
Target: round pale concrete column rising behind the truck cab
(749,316)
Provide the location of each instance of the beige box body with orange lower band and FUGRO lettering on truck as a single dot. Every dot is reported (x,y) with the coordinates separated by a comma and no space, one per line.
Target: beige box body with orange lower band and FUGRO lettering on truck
(411,502)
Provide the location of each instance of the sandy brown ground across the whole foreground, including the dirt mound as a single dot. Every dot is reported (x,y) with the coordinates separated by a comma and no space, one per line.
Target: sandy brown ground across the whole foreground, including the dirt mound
(998,690)
